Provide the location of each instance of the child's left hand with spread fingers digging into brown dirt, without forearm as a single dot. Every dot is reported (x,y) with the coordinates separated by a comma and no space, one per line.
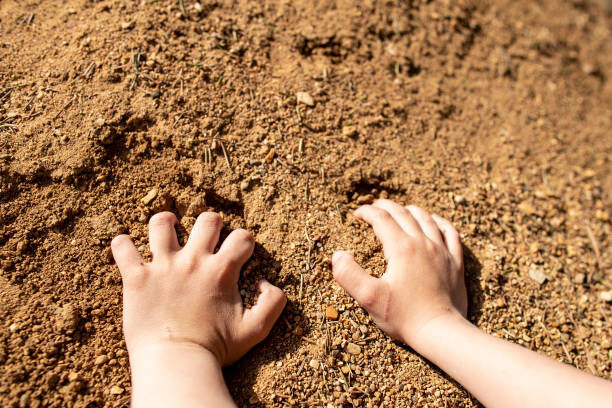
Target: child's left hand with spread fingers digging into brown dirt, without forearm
(189,296)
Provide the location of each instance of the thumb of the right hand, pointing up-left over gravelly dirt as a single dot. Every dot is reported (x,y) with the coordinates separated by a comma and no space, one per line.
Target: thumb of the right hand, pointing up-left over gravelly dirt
(357,282)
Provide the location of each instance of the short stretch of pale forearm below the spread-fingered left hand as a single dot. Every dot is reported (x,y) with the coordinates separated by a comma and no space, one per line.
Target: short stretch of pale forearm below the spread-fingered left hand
(182,375)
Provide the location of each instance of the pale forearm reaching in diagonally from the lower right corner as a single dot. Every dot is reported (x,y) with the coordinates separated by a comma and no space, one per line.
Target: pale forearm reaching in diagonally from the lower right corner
(502,374)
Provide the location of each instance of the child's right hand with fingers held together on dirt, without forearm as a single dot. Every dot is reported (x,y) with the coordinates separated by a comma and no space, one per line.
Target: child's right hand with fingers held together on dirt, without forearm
(424,278)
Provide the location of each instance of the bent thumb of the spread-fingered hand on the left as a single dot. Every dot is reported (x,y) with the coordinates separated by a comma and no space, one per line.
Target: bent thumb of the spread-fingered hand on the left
(259,320)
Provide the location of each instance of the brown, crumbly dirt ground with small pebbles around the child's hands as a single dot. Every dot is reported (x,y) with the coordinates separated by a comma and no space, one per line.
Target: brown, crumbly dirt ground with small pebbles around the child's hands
(493,114)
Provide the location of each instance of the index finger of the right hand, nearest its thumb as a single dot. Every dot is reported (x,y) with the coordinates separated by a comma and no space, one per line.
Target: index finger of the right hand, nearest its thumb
(385,227)
